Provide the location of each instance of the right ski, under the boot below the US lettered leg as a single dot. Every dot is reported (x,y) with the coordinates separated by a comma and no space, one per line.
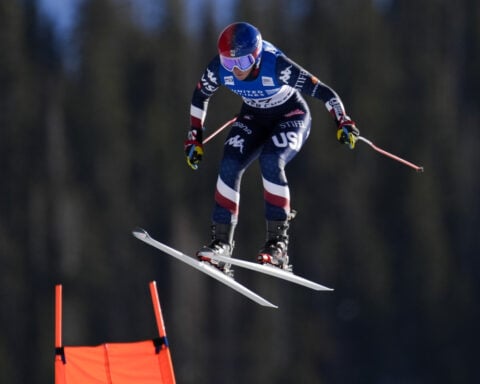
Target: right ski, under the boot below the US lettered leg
(272,271)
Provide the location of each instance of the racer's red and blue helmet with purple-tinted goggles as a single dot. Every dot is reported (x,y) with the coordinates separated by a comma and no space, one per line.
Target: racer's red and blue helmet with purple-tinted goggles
(239,45)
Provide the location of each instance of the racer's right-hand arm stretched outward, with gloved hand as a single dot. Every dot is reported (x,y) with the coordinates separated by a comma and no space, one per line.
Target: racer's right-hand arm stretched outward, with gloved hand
(297,77)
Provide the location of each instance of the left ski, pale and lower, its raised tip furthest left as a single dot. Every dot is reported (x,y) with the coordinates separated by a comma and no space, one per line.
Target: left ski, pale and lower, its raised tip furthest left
(204,267)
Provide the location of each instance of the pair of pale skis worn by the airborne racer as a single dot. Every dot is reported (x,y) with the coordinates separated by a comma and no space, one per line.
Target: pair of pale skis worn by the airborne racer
(215,273)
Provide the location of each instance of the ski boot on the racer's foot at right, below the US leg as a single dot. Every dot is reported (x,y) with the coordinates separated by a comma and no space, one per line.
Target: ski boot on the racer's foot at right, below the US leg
(275,250)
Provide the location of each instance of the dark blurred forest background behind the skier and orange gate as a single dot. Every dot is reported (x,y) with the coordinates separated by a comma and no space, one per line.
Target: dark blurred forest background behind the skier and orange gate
(91,145)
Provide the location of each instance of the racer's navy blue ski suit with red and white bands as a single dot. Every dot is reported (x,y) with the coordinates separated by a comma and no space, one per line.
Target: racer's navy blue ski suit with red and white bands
(272,126)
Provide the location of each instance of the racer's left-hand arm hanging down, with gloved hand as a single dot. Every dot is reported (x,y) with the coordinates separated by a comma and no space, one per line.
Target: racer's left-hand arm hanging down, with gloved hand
(205,88)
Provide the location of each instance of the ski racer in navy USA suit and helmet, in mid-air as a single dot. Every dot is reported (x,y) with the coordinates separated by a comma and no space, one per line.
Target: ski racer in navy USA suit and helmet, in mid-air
(272,126)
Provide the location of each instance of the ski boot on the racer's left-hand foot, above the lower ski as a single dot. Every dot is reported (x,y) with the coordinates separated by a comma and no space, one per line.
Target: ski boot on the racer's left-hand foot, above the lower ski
(222,245)
